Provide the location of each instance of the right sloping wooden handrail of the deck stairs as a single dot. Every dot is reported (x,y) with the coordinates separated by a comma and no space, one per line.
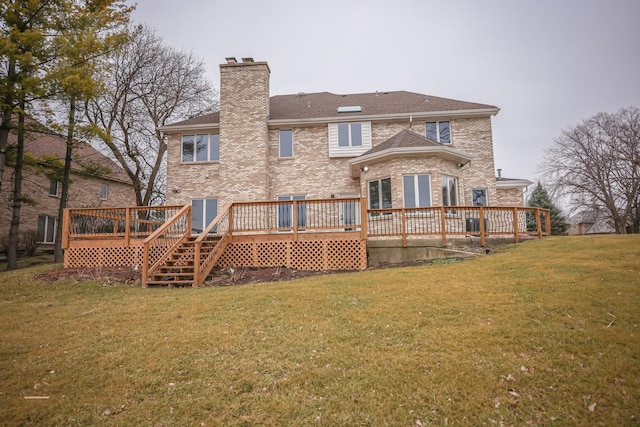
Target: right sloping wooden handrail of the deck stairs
(203,267)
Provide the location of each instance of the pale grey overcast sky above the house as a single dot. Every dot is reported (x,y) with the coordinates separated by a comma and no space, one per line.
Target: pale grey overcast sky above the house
(546,64)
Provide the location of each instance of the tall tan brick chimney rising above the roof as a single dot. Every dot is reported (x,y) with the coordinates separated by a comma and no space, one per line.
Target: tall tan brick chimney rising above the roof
(244,139)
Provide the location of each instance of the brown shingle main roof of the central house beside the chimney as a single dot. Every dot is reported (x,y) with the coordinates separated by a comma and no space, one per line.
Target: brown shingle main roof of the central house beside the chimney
(324,106)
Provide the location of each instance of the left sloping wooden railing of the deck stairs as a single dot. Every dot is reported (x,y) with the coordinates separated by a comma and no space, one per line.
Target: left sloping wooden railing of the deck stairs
(167,237)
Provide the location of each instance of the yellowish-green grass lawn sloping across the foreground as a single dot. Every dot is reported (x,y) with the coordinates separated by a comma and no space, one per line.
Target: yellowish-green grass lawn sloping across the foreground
(537,334)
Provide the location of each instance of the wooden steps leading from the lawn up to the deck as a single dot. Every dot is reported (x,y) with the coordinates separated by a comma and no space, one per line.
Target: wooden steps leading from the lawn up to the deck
(178,269)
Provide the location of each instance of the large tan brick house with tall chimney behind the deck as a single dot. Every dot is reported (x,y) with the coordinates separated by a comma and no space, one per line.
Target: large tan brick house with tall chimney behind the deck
(397,149)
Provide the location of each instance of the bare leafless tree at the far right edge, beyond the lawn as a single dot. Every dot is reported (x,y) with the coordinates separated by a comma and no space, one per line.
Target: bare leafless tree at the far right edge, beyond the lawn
(596,166)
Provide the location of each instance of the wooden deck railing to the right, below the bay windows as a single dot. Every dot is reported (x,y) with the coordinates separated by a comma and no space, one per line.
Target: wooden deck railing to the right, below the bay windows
(446,221)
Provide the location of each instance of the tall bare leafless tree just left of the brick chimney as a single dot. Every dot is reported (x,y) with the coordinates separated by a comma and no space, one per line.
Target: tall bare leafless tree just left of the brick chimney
(148,85)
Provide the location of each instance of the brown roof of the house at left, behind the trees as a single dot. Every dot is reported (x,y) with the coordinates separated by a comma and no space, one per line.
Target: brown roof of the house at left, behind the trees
(42,144)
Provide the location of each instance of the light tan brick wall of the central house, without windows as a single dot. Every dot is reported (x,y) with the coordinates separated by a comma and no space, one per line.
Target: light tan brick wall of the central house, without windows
(310,172)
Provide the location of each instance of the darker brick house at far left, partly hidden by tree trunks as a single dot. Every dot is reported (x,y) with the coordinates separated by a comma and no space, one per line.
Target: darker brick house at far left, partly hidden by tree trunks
(40,211)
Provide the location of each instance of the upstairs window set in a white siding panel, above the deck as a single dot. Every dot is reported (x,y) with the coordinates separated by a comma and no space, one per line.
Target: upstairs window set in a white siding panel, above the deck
(349,139)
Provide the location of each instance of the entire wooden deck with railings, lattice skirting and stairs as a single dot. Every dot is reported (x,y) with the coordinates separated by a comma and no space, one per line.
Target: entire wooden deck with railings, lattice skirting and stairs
(326,234)
